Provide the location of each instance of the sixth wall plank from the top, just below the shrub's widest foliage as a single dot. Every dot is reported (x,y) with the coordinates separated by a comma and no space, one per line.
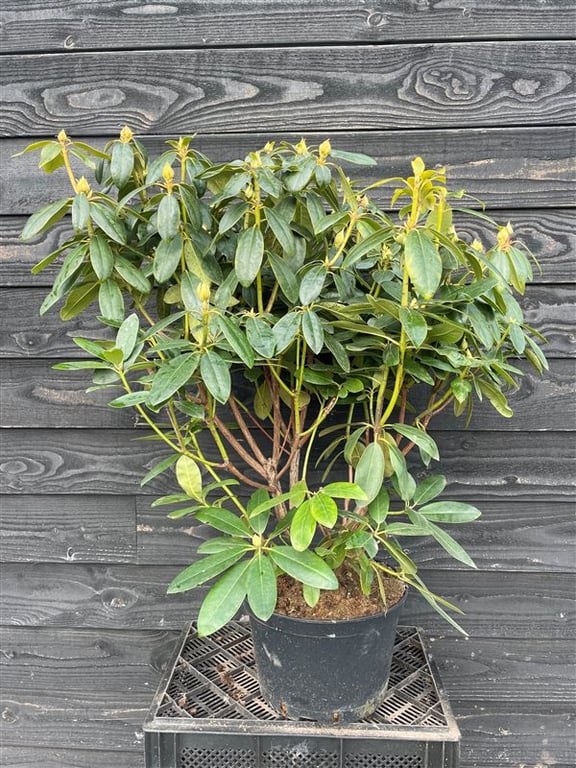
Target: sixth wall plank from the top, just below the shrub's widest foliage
(36,395)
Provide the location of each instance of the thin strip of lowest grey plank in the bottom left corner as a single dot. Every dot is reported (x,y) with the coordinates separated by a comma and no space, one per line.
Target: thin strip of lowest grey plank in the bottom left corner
(75,757)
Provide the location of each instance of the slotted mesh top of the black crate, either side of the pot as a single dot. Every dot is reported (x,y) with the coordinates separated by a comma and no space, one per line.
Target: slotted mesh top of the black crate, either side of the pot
(215,677)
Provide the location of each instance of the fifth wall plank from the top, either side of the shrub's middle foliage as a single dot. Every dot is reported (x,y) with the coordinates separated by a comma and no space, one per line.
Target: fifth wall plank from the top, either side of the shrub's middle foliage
(26,334)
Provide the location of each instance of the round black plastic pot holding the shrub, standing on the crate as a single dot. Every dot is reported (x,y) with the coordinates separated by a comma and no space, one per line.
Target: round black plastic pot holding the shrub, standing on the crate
(330,671)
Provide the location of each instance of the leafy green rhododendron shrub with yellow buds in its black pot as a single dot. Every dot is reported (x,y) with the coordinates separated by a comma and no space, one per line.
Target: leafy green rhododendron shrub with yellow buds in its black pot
(290,341)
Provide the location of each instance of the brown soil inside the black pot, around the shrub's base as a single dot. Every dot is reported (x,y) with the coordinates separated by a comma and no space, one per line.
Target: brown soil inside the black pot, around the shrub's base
(345,603)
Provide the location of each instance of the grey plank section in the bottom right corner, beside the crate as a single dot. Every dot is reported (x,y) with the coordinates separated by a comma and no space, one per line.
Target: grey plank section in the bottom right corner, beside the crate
(534,735)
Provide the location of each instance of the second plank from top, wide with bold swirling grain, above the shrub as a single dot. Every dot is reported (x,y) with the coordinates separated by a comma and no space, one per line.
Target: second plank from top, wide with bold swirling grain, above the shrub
(334,88)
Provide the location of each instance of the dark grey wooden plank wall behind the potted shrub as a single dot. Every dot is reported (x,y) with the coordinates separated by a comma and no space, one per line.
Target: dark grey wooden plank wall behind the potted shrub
(483,86)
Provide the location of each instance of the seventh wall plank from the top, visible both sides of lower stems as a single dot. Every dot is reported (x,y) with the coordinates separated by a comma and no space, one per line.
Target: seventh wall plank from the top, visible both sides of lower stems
(479,465)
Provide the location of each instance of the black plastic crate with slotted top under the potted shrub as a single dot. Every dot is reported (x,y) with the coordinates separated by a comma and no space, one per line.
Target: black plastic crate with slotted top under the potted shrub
(208,713)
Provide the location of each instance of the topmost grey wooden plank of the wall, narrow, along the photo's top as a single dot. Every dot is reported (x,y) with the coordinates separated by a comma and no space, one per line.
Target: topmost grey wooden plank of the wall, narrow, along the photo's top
(65,26)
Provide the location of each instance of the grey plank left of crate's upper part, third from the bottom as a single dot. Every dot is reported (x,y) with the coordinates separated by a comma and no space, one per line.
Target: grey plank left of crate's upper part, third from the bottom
(73,660)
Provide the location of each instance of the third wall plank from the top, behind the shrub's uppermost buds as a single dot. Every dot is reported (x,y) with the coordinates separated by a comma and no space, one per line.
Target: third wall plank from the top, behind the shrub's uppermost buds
(505,167)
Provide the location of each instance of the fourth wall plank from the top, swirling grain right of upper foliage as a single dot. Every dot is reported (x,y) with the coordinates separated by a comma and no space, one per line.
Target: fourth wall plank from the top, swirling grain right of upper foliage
(550,235)
